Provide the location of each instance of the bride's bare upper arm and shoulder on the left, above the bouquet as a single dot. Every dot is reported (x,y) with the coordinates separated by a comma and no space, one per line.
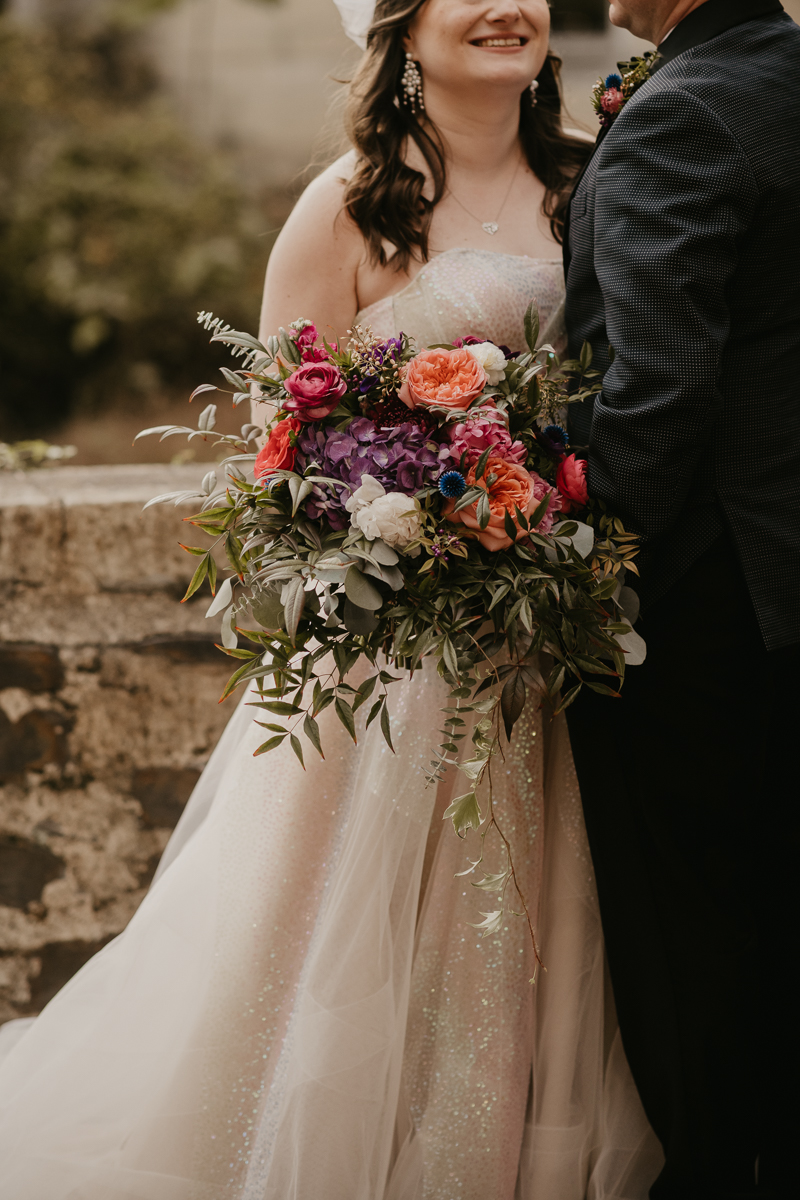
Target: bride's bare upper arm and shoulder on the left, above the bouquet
(314,266)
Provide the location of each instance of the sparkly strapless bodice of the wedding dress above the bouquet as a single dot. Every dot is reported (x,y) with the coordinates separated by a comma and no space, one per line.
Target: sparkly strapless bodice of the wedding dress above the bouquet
(477,292)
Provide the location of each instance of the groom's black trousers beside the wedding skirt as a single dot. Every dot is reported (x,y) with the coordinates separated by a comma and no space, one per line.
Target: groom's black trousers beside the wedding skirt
(691,799)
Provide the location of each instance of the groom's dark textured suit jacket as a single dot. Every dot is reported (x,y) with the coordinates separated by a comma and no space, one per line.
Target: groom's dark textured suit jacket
(683,251)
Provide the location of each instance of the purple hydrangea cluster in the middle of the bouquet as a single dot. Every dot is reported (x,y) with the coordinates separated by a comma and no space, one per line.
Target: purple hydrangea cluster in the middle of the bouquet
(405,459)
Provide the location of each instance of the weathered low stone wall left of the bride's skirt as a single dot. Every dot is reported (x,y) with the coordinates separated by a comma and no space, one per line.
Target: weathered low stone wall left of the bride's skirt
(109,710)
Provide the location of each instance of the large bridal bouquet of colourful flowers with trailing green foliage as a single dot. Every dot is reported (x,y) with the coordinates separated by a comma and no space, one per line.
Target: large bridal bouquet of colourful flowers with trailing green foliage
(411,503)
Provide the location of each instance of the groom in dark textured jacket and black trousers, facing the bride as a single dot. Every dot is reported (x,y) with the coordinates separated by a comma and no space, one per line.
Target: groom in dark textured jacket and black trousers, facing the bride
(683,251)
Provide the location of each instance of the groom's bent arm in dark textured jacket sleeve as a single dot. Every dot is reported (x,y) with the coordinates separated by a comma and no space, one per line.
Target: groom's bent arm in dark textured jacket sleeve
(675,196)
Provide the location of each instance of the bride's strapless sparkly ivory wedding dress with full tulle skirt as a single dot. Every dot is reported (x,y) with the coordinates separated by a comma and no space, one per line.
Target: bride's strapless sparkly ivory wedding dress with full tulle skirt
(302,1009)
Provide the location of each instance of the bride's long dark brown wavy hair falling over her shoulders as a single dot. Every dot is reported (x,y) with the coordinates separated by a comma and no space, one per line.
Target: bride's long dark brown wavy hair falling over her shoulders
(384,195)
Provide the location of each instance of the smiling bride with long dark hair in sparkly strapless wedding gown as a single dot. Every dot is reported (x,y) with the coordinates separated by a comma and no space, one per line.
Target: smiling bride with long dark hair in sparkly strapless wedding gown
(302,1007)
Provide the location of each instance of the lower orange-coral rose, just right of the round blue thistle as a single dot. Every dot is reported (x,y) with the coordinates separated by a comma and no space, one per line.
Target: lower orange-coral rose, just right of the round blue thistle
(509,487)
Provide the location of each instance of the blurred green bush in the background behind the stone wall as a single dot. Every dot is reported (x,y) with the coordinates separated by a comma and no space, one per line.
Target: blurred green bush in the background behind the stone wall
(115,230)
